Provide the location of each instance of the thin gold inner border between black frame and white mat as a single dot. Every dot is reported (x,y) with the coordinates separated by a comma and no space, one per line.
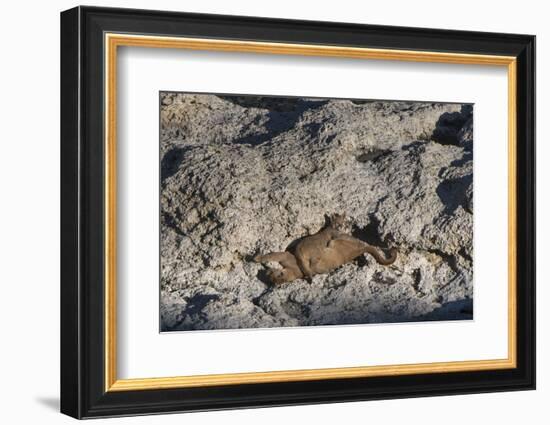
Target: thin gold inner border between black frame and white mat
(111,43)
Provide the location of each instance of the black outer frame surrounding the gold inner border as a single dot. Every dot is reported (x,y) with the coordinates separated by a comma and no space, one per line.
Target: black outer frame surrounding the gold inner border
(83,392)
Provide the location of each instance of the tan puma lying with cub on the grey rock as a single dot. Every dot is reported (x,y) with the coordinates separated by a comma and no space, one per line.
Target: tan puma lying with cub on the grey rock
(320,253)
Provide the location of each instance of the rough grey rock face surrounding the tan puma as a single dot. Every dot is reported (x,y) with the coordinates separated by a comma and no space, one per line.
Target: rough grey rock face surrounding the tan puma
(248,175)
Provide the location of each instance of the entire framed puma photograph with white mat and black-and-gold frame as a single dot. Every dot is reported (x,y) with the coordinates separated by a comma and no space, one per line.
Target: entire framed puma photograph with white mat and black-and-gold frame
(260,212)
